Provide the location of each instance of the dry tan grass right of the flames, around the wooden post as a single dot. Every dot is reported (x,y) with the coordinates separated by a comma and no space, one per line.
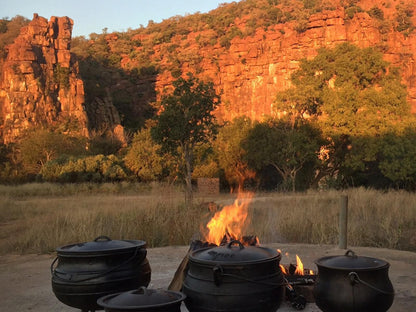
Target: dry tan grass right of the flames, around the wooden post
(377,219)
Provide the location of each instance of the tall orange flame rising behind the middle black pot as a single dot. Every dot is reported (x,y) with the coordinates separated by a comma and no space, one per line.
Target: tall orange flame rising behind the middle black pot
(230,220)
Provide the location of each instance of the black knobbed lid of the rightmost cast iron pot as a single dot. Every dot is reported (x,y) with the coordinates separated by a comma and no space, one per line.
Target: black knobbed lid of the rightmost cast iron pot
(351,261)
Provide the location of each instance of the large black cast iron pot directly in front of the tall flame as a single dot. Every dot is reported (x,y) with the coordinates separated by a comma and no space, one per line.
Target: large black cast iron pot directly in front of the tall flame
(234,278)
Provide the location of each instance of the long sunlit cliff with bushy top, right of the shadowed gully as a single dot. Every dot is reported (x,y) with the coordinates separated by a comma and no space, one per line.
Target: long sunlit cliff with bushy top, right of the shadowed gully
(251,69)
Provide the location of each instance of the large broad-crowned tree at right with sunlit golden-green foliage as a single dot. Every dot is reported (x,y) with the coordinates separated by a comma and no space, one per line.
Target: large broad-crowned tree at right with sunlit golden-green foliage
(354,96)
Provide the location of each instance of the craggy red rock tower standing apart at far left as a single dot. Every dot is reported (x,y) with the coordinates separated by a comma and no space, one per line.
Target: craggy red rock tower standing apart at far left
(40,81)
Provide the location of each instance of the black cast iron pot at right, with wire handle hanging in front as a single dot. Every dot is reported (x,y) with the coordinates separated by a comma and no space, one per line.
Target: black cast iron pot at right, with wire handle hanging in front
(351,283)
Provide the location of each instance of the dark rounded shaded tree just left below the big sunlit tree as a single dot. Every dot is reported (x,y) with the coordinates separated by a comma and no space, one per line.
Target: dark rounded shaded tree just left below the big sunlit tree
(286,147)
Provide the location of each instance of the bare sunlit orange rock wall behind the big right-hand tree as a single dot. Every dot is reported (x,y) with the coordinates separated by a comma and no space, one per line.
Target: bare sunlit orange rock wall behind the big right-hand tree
(255,68)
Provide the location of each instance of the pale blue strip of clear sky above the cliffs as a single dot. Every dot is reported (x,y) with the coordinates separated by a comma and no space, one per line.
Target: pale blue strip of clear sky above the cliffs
(92,16)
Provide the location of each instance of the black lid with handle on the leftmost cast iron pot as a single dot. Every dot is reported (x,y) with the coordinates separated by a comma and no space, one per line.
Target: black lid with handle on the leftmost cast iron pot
(101,244)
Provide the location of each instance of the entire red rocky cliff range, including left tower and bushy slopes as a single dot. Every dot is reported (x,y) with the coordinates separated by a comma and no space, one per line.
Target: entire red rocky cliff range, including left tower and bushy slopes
(41,81)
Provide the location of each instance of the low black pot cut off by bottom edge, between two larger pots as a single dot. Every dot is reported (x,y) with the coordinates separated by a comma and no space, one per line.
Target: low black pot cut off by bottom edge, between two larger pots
(143,300)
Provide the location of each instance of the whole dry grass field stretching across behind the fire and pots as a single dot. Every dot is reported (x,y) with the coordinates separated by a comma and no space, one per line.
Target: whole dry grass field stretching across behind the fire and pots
(37,218)
